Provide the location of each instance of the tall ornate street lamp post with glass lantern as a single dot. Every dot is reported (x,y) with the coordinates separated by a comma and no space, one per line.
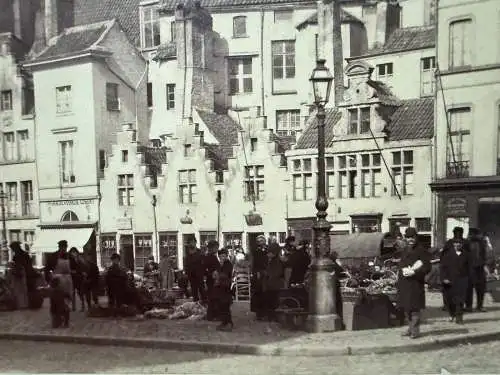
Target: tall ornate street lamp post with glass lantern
(322,307)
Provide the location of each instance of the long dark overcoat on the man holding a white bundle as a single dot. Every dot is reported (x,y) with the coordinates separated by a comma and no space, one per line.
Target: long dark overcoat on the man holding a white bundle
(411,290)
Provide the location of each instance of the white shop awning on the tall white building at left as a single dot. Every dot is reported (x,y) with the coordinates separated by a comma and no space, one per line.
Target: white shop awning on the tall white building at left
(46,239)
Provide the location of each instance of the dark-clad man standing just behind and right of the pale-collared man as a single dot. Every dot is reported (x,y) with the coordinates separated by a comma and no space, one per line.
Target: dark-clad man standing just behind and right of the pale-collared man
(477,277)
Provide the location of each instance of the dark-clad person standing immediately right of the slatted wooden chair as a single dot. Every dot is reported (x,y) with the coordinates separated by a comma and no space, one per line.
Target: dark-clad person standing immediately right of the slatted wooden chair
(259,262)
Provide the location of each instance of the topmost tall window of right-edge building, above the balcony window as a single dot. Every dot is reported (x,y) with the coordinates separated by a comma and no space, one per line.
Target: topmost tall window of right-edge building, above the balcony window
(460,43)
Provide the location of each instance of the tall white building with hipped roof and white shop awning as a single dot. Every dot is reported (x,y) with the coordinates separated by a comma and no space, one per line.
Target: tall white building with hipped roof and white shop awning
(87,83)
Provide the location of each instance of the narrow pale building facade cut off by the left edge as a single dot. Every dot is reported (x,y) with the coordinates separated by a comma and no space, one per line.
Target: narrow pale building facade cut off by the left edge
(18,181)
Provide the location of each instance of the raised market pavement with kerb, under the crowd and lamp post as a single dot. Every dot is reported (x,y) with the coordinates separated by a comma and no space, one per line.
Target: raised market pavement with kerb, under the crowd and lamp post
(247,330)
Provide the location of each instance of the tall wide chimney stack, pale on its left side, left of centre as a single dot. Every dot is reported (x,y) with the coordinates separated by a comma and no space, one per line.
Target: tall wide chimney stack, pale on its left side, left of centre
(195,81)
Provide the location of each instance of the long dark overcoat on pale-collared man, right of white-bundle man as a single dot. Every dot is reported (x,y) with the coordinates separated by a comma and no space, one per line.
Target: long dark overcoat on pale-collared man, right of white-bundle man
(456,269)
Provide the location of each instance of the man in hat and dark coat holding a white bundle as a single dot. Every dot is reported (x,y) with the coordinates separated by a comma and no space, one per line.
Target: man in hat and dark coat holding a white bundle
(414,265)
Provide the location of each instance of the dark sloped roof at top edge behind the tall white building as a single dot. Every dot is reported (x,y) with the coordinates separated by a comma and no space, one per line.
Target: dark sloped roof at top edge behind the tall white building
(125,11)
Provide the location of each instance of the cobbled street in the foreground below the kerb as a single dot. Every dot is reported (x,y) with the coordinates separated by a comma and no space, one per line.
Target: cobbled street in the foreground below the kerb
(31,357)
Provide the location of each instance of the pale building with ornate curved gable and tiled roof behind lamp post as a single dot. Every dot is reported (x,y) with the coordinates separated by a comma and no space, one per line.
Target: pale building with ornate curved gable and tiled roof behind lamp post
(378,151)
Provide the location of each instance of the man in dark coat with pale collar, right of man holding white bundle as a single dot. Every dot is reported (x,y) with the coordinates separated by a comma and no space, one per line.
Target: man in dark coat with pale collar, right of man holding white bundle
(455,267)
